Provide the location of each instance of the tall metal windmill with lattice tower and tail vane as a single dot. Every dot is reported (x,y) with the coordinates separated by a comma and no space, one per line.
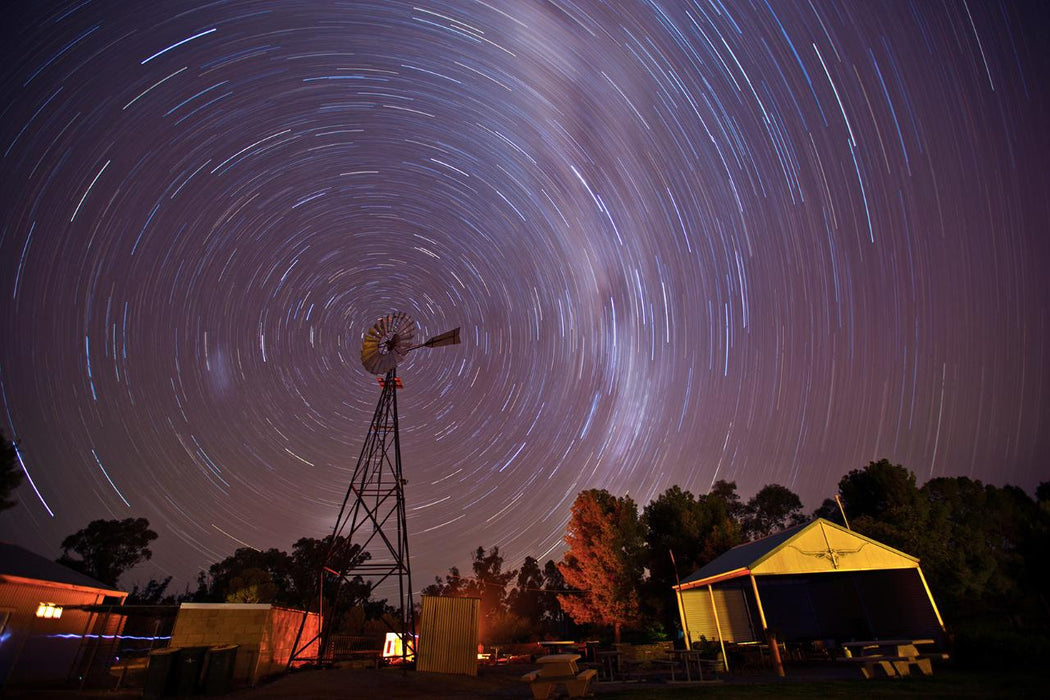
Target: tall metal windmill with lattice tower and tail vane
(371,538)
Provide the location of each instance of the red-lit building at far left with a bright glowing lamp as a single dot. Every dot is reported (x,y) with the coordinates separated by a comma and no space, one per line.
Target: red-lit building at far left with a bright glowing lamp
(50,633)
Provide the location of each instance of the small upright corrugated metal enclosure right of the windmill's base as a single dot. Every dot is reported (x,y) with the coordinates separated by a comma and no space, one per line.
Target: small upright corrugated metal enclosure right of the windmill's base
(449,635)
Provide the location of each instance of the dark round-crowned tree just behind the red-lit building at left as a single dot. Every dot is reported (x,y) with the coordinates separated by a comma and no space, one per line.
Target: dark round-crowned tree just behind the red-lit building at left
(109,548)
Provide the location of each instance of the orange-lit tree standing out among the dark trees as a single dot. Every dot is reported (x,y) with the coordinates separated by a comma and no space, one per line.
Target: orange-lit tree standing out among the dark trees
(604,562)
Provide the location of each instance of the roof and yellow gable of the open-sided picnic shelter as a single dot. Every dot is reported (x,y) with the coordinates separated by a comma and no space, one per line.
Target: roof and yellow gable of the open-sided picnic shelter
(820,546)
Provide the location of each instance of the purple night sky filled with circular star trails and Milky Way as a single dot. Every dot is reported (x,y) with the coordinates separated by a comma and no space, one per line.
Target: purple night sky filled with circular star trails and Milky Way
(686,241)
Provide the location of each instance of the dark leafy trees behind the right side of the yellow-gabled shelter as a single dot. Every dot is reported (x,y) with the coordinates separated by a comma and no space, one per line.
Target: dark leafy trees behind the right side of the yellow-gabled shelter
(982,547)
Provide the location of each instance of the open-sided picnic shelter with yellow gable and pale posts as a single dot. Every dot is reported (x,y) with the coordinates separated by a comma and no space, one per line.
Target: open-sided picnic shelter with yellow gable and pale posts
(815,582)
